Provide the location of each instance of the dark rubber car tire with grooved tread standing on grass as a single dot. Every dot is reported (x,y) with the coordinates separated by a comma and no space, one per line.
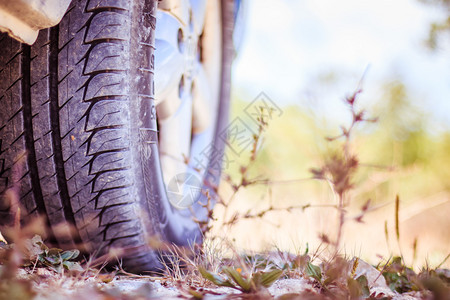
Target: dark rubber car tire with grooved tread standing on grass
(80,103)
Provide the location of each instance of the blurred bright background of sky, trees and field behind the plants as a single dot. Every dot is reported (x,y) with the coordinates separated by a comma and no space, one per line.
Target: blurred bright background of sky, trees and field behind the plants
(307,56)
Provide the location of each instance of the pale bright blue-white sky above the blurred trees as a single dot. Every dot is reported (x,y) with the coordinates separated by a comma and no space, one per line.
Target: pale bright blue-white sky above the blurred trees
(318,50)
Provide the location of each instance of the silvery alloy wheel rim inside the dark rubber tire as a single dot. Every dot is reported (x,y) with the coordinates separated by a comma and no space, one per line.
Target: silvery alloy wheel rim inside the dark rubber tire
(187,84)
